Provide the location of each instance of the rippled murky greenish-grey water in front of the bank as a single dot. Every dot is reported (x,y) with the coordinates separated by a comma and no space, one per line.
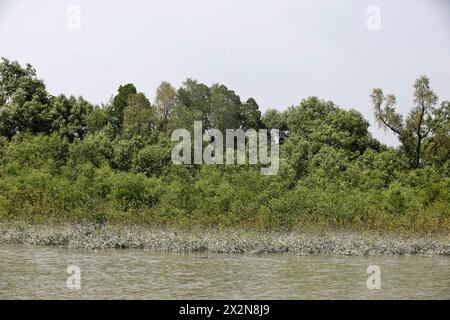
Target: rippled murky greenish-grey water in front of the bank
(41,273)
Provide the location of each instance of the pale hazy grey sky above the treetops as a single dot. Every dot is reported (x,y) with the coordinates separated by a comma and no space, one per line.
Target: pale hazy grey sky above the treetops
(278,52)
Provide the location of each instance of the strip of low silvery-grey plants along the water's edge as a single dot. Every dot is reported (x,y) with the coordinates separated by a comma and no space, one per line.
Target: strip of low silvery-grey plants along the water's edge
(91,236)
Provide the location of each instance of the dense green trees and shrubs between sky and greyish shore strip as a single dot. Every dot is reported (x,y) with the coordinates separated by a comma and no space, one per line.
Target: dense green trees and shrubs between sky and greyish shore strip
(61,158)
